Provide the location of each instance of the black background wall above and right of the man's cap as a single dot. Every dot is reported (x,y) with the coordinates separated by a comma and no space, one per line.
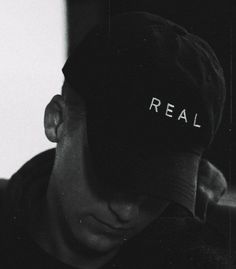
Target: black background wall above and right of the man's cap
(211,20)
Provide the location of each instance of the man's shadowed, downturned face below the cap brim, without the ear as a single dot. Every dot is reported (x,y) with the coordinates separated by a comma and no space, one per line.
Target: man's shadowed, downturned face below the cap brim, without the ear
(98,220)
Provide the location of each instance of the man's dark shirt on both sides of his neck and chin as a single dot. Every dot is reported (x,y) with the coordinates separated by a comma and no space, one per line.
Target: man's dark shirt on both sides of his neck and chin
(175,240)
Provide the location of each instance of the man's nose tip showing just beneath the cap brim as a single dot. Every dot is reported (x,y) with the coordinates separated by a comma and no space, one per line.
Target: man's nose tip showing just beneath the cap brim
(125,208)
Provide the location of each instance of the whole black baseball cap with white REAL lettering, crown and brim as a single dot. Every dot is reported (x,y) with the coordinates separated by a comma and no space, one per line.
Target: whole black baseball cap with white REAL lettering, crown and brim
(154,95)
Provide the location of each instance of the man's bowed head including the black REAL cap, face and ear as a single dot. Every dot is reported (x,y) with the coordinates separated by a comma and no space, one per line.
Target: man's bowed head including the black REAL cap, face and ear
(142,99)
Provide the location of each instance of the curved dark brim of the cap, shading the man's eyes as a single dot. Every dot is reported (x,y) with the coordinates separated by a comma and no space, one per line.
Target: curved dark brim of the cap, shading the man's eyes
(127,166)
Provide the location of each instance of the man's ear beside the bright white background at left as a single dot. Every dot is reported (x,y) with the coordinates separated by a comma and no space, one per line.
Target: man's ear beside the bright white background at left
(53,118)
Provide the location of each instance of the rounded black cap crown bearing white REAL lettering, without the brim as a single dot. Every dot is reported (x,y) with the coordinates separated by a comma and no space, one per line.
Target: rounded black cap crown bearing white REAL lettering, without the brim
(152,73)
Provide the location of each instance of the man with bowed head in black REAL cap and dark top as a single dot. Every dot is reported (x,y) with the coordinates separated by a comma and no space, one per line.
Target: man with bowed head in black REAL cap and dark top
(142,100)
